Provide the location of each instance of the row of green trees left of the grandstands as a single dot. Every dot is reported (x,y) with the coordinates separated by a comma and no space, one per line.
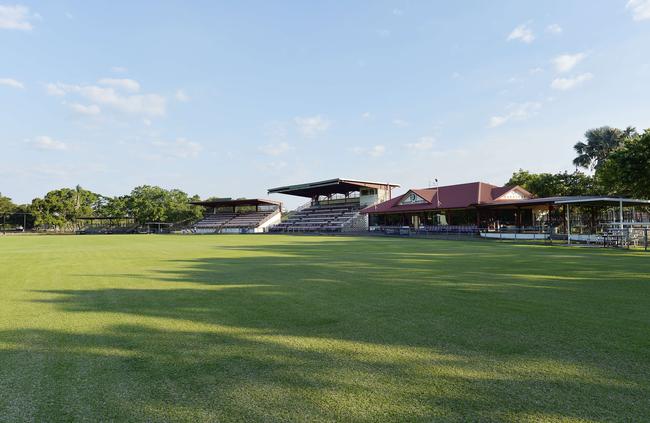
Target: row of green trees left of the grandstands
(61,209)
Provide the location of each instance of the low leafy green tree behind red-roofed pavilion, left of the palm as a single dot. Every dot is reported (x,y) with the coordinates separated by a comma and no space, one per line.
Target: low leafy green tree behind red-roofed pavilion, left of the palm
(555,185)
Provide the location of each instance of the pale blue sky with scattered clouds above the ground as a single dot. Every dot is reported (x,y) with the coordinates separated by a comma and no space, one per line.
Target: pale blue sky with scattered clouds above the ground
(231,98)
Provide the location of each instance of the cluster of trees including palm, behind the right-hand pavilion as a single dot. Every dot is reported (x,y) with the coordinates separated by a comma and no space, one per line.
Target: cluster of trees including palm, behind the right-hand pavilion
(618,159)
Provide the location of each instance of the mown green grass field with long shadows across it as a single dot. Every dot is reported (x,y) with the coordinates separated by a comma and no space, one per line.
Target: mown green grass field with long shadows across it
(276,328)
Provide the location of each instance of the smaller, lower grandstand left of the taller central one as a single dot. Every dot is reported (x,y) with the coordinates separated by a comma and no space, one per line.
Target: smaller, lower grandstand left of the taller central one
(225,215)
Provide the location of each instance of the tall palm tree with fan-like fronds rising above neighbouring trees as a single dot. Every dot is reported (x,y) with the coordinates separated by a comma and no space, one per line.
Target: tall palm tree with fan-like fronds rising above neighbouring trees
(599,143)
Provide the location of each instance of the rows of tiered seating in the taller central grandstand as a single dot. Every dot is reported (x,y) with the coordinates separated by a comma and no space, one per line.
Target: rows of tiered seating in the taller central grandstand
(330,218)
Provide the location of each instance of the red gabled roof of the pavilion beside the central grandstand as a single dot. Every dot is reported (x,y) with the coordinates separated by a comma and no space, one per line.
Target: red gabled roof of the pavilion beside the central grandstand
(447,197)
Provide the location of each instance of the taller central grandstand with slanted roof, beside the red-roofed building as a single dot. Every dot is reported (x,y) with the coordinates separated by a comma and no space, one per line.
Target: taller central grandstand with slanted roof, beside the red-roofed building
(334,205)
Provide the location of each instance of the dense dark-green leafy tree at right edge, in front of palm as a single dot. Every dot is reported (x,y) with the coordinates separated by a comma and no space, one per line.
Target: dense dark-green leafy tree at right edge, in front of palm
(626,171)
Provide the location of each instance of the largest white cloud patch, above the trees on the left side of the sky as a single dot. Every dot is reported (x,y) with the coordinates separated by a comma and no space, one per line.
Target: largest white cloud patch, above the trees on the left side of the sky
(150,105)
